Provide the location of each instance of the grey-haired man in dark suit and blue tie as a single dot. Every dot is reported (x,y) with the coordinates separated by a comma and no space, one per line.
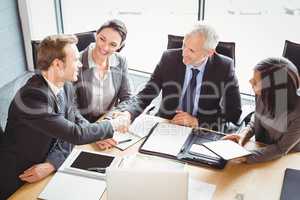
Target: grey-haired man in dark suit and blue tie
(199,86)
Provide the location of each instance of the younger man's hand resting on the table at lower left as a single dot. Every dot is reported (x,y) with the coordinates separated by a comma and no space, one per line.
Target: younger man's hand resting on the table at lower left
(37,172)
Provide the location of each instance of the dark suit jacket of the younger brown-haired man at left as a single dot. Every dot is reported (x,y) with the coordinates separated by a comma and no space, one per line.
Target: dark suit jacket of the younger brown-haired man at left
(34,124)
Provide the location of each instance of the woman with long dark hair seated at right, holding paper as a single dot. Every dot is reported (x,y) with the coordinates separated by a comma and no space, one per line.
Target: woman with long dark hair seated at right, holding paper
(276,122)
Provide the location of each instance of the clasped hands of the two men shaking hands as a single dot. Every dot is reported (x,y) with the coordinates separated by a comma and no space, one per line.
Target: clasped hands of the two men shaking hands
(121,121)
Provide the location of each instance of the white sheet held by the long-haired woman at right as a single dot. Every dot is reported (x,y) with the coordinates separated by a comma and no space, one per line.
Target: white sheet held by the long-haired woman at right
(227,149)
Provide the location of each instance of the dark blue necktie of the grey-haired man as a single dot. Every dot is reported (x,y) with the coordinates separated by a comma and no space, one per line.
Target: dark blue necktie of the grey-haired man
(190,93)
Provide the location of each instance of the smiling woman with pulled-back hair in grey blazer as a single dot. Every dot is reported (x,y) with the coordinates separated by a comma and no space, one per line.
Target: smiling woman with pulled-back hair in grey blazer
(103,78)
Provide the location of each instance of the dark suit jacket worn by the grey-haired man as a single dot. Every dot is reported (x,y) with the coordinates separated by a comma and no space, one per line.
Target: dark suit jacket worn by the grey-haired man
(219,99)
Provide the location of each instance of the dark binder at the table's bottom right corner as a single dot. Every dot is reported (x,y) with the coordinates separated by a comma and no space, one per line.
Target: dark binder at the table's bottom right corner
(290,188)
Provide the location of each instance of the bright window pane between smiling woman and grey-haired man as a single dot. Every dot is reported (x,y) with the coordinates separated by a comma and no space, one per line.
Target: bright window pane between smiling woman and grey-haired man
(148,23)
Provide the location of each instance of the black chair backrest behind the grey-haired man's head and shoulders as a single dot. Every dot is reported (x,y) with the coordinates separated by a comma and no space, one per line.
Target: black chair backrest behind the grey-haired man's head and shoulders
(224,48)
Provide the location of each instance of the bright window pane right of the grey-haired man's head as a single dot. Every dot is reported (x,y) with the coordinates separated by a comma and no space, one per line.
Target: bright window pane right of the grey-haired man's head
(259,29)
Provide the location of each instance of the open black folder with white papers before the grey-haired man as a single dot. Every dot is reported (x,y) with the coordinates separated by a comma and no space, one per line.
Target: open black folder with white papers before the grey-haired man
(196,146)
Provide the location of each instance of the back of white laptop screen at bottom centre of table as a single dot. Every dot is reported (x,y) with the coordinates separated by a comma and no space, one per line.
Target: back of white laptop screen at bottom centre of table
(137,184)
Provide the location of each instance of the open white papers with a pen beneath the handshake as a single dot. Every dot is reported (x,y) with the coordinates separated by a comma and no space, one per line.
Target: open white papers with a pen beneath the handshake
(139,129)
